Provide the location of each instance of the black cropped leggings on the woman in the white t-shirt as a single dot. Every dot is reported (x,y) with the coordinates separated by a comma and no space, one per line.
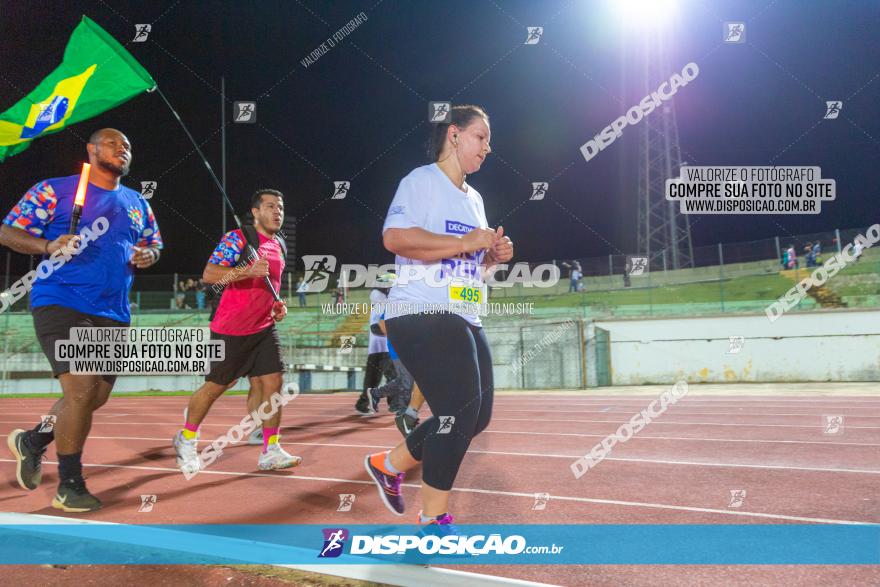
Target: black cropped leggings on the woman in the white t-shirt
(451,362)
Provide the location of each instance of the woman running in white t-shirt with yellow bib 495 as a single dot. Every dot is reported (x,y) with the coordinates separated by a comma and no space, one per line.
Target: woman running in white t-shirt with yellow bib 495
(437,227)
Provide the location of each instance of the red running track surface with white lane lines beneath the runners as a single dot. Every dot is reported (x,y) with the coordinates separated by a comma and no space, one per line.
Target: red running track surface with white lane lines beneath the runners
(679,469)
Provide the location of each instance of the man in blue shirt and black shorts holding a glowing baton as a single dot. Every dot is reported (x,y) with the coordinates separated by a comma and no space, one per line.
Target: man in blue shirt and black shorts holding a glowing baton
(90,289)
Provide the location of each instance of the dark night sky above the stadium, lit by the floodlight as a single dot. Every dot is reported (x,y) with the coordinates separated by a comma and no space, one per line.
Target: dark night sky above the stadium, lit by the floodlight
(359,112)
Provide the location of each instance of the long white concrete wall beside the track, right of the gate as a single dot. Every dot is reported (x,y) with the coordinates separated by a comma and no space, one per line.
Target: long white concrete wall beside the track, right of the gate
(817,346)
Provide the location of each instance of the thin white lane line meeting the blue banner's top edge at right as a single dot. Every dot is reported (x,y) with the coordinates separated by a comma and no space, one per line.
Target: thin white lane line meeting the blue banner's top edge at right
(530,496)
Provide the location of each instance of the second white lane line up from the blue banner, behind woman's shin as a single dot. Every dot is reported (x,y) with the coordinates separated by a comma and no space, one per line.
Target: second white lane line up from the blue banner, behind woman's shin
(547,455)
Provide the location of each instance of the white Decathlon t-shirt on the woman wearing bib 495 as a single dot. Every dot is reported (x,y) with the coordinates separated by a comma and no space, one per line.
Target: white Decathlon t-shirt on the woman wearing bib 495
(427,199)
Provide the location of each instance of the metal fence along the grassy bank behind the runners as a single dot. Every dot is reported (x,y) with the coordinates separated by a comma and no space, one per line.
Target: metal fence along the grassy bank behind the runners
(725,278)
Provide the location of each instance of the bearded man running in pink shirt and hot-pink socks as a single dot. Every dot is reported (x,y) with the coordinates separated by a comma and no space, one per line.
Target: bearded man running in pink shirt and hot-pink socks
(245,322)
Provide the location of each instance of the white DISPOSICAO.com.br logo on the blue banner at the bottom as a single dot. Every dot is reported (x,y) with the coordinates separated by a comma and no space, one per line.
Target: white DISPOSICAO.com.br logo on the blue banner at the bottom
(334,540)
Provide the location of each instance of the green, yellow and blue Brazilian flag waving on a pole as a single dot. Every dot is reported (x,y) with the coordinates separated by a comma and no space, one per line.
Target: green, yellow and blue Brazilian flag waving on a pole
(96,75)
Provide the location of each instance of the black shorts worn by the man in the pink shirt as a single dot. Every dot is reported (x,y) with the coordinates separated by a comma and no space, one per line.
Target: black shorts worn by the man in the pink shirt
(252,355)
